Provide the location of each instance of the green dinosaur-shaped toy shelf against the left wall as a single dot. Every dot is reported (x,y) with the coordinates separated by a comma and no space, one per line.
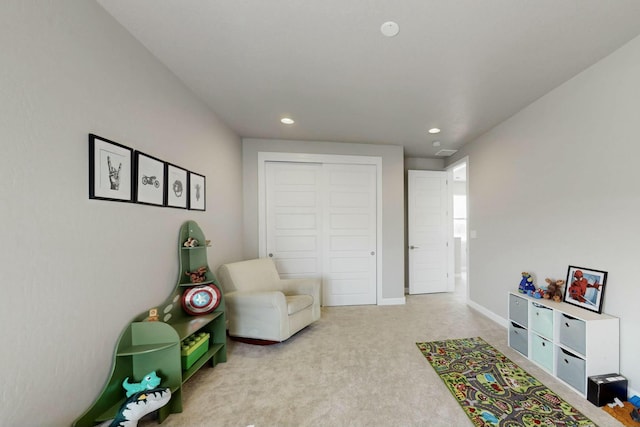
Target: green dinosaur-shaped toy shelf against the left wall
(152,343)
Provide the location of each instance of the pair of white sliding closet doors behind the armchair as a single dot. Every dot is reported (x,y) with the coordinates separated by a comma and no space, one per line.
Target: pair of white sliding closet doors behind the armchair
(321,221)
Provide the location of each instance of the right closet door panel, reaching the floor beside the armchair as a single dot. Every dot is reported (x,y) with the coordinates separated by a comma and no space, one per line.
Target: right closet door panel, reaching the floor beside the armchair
(350,235)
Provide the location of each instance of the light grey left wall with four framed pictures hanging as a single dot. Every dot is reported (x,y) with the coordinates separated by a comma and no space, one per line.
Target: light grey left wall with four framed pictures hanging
(75,271)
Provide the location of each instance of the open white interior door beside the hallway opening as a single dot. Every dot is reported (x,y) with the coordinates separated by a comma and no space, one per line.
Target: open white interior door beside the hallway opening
(429,233)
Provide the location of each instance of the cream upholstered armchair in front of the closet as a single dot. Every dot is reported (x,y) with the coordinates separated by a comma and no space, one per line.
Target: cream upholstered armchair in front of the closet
(263,307)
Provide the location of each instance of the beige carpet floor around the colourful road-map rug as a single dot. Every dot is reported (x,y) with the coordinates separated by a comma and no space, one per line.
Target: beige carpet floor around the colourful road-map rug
(357,366)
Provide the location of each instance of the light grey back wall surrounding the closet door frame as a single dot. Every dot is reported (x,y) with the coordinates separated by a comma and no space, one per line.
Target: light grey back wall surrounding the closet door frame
(392,195)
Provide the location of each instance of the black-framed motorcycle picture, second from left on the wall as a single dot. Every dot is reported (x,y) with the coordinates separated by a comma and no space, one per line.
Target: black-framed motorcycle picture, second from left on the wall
(150,182)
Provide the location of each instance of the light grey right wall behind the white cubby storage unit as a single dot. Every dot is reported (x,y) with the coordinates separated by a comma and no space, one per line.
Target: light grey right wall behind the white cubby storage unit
(557,185)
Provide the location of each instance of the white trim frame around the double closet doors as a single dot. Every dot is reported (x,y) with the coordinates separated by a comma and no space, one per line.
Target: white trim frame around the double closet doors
(268,156)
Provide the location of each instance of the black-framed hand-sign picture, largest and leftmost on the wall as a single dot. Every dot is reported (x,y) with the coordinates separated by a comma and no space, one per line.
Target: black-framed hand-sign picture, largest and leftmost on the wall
(110,170)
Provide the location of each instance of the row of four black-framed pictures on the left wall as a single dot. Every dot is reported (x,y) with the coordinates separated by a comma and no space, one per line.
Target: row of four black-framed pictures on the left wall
(119,173)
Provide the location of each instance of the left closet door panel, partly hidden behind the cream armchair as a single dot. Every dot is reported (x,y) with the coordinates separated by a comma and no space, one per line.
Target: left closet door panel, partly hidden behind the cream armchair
(293,218)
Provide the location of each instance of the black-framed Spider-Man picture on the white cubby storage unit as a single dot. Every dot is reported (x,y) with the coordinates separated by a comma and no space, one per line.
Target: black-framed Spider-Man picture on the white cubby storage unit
(585,288)
